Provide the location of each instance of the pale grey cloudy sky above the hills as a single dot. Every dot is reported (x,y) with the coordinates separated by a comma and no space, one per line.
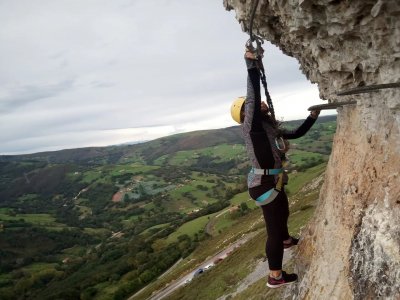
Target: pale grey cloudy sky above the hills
(79,73)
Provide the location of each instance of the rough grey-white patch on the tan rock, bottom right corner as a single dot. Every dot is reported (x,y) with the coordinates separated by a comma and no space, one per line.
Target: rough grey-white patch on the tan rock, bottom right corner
(375,252)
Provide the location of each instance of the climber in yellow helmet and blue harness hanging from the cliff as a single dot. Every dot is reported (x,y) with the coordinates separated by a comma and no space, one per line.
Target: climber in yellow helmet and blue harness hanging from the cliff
(266,145)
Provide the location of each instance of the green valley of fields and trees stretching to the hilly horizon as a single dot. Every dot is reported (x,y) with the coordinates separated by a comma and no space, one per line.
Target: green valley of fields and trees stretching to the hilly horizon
(102,223)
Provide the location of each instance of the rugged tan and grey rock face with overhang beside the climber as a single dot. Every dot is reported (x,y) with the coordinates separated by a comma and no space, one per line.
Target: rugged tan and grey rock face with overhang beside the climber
(351,249)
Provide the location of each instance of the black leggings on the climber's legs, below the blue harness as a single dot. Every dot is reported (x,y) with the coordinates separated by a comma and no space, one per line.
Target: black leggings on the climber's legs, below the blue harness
(276,215)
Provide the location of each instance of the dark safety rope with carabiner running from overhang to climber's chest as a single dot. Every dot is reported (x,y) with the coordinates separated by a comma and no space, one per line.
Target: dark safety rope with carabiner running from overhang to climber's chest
(258,51)
